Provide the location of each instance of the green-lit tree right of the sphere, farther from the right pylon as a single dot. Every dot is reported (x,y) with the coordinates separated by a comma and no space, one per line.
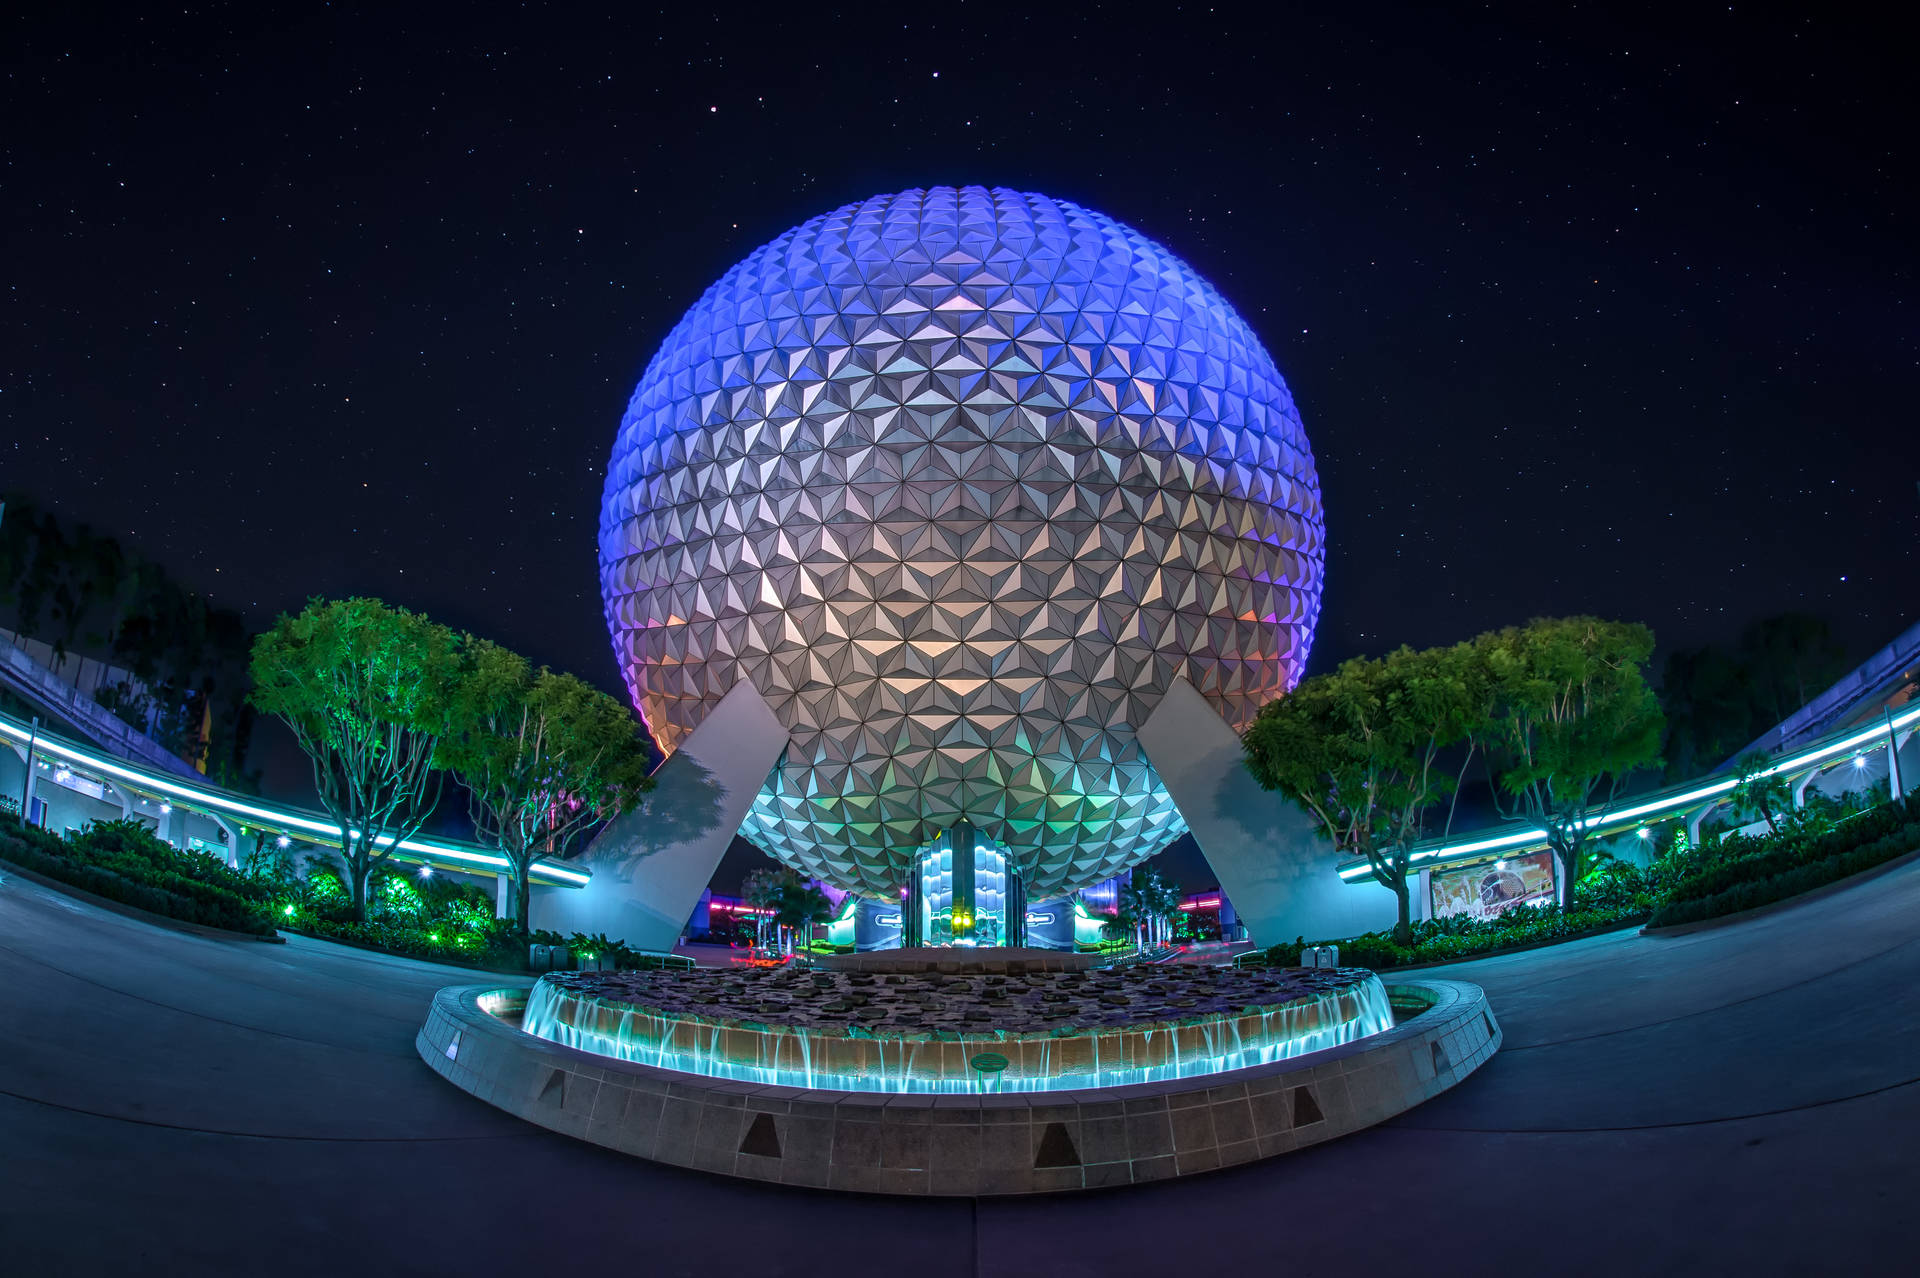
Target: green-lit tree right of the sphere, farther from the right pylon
(1573,719)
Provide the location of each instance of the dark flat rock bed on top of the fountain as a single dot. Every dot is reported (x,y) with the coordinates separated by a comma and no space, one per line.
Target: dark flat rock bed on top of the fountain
(957,1006)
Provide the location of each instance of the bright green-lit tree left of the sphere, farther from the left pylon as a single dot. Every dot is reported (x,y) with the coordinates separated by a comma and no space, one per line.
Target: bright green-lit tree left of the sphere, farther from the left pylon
(370,694)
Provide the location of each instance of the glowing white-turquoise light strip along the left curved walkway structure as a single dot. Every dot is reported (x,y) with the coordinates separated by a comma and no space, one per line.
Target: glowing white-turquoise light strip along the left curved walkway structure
(304,824)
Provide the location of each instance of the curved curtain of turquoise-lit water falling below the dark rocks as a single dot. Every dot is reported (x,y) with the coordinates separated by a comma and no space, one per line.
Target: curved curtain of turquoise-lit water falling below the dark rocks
(850,1060)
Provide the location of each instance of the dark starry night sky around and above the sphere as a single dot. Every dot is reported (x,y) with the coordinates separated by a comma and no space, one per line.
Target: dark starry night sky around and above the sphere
(1585,312)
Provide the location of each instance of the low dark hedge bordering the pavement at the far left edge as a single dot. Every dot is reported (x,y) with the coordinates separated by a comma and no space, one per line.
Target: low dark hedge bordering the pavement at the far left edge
(124,863)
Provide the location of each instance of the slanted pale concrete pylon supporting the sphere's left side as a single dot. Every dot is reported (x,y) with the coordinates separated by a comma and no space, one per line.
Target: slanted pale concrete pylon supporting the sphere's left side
(652,864)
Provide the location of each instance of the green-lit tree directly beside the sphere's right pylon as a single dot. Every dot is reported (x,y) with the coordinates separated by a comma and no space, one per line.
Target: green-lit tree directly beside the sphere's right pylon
(1370,747)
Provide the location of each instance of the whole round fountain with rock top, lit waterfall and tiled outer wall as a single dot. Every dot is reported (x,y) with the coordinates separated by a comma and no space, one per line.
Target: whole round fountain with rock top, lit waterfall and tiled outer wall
(978,1081)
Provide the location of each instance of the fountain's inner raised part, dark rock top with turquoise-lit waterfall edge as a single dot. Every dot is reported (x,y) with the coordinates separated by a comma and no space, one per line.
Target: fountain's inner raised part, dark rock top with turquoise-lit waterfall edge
(926,1031)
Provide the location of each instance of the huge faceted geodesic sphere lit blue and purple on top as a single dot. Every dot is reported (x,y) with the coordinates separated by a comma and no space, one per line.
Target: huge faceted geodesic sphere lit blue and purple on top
(963,481)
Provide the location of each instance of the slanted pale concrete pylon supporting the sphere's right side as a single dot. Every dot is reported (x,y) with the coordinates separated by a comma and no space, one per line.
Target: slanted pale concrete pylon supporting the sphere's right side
(1272,863)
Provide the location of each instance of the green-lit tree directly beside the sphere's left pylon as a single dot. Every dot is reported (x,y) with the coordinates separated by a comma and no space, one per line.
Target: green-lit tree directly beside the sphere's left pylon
(542,755)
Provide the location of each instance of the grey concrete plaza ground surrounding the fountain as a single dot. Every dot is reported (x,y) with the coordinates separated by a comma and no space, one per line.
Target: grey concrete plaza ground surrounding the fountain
(1739,1100)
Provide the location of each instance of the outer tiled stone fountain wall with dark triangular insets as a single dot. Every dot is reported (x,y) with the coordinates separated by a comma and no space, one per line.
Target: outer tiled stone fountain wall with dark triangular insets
(1009,1143)
